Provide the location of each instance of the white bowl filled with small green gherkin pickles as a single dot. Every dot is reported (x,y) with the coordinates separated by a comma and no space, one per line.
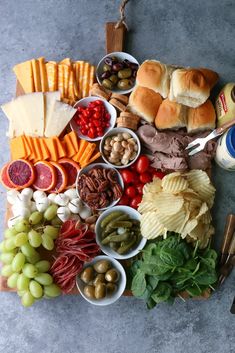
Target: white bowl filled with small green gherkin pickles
(118,232)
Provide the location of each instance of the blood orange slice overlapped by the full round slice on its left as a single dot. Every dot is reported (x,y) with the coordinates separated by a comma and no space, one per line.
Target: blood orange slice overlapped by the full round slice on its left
(45,178)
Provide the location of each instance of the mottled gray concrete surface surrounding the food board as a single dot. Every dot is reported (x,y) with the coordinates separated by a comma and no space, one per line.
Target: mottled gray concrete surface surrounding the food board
(187,32)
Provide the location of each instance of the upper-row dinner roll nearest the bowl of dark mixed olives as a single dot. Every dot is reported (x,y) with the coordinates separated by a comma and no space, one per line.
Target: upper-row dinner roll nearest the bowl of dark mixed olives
(154,75)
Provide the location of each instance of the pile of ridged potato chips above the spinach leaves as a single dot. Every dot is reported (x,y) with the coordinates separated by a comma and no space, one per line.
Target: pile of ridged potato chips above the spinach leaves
(178,203)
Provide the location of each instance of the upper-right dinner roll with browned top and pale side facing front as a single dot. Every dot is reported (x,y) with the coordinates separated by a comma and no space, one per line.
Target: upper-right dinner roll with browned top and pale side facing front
(189,87)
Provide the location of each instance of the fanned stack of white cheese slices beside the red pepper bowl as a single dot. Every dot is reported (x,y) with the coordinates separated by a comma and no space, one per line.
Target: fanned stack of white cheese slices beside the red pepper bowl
(38,114)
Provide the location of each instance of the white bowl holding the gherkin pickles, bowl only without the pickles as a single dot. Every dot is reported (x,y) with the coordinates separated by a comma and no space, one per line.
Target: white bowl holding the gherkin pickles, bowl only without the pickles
(106,249)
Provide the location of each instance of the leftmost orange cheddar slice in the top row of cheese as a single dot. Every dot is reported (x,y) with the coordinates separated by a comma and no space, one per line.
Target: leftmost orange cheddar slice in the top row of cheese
(24,74)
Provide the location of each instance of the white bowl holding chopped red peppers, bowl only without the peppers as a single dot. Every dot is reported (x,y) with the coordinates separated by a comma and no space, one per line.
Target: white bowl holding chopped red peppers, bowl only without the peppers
(84,103)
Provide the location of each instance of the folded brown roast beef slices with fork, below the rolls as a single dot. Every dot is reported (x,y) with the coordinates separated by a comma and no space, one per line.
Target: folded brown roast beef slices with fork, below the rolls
(167,150)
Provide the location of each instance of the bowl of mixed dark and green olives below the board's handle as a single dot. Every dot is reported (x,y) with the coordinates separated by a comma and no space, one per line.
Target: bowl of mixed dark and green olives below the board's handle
(117,72)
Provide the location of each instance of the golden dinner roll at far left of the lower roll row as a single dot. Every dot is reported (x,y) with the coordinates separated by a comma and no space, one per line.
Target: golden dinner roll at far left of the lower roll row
(145,103)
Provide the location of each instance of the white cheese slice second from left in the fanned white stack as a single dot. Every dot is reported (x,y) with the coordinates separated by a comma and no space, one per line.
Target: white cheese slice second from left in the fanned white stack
(32,105)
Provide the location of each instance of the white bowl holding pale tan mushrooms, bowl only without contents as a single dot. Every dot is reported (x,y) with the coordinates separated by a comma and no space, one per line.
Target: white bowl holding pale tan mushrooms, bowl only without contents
(115,131)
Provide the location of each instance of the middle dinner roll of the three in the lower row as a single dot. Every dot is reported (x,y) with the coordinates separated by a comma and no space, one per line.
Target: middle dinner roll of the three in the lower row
(171,115)
